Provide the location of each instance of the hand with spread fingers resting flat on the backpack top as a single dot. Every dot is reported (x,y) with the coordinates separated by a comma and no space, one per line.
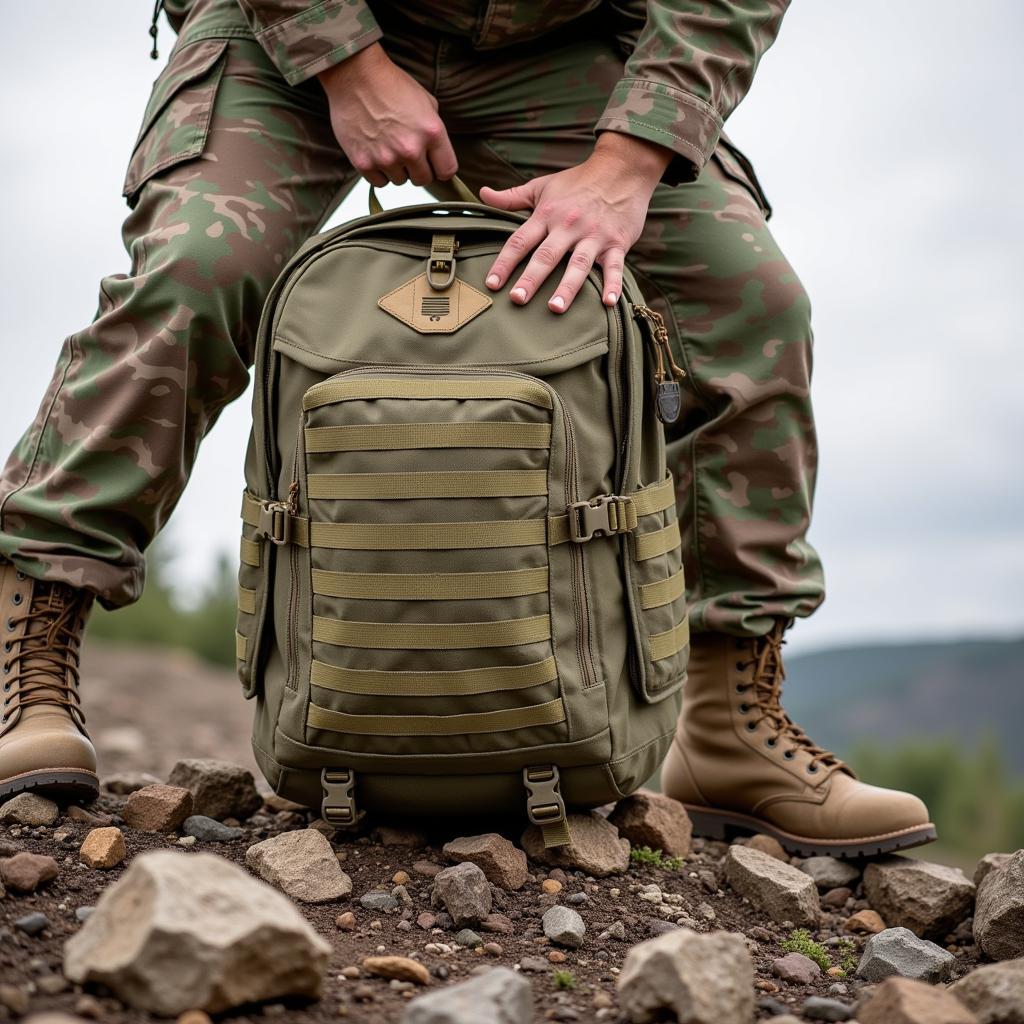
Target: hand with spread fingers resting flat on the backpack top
(595,210)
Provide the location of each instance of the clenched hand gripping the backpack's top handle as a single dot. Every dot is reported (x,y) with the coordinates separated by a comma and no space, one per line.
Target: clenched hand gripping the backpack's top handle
(387,122)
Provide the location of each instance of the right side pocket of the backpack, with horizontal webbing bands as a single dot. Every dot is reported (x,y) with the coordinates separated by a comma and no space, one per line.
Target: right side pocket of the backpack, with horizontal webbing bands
(659,595)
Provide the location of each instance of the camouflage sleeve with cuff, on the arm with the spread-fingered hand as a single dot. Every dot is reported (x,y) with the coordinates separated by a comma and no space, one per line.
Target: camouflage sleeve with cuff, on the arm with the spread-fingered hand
(689,65)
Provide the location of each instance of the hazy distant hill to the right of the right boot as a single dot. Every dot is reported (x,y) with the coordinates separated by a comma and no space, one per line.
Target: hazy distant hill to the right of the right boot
(966,691)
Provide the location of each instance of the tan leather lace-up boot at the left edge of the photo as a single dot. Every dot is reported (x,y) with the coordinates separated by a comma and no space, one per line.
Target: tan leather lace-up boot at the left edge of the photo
(44,743)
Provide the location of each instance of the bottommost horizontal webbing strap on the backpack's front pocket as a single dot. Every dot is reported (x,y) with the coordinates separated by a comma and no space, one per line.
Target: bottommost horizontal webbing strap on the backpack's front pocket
(437,726)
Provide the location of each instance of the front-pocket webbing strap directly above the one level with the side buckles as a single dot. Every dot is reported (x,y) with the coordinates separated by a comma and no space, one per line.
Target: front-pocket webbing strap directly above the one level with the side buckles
(456,484)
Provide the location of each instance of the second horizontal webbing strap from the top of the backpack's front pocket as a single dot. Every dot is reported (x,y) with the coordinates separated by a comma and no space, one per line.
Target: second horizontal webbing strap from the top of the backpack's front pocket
(389,437)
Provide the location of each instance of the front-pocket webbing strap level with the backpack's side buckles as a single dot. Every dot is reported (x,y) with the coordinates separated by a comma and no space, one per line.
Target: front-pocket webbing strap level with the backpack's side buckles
(429,537)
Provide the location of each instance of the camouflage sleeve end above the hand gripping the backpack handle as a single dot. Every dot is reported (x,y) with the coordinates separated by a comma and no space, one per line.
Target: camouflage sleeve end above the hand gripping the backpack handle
(304,39)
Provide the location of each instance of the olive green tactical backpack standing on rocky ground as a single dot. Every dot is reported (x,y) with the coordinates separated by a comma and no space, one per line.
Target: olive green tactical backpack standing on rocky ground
(461,587)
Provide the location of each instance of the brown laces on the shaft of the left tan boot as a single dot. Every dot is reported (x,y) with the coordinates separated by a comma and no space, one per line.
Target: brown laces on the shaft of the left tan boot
(42,665)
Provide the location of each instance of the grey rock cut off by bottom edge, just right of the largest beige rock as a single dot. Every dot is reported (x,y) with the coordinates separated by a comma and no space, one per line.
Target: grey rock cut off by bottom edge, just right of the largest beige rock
(499,997)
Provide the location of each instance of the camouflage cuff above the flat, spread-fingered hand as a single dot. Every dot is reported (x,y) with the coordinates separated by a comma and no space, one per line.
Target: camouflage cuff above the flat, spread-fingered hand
(658,113)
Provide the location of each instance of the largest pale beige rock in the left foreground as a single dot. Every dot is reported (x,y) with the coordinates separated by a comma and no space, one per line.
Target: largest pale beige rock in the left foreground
(181,932)
